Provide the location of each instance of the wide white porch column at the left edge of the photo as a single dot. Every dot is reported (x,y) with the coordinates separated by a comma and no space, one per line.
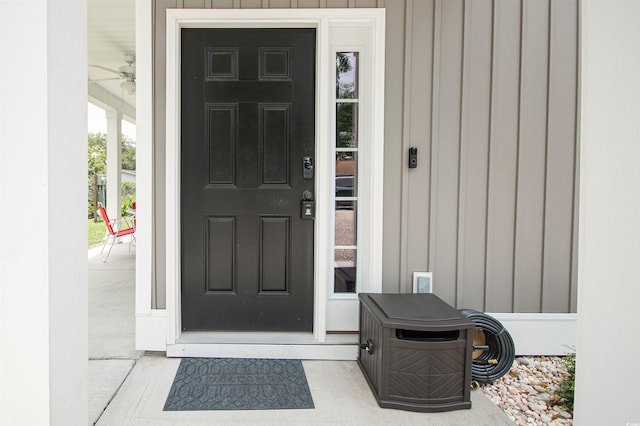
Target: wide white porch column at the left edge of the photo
(43,212)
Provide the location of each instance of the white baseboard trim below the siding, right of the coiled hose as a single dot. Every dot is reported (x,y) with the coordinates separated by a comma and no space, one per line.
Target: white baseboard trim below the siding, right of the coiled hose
(540,334)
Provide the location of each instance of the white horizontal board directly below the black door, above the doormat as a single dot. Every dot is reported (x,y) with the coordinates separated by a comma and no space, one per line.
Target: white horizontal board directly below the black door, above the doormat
(318,351)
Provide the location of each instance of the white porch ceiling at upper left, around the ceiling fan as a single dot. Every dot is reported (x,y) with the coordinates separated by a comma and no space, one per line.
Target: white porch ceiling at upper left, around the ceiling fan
(110,34)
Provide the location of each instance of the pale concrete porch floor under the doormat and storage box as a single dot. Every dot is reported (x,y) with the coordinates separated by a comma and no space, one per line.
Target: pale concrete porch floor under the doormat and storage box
(129,387)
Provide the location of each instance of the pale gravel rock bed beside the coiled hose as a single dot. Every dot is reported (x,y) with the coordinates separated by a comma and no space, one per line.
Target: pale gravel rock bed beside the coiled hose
(527,394)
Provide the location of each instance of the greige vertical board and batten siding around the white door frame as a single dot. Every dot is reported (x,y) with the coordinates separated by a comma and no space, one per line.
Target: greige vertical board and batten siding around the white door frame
(487,92)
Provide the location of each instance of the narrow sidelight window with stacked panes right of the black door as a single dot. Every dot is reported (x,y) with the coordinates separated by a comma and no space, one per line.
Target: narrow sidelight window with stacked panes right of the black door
(346,172)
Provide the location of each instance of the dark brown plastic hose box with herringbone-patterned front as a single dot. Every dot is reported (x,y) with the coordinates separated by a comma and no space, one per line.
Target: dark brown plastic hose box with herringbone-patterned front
(415,352)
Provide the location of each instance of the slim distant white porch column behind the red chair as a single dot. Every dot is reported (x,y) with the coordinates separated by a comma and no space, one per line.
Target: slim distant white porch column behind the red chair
(114,163)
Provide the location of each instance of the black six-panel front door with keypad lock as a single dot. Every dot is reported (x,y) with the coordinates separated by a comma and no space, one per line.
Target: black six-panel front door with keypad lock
(248,126)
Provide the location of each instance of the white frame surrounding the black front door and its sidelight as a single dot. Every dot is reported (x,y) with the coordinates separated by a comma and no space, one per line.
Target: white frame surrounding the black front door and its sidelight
(324,20)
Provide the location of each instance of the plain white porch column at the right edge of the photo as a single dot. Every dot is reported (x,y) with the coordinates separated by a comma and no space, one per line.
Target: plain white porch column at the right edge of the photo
(608,340)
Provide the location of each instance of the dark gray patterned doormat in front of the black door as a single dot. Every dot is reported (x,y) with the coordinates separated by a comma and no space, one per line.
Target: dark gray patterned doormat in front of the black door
(238,384)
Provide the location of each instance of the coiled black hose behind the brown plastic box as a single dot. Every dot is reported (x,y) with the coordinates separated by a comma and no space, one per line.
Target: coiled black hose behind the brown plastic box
(500,348)
